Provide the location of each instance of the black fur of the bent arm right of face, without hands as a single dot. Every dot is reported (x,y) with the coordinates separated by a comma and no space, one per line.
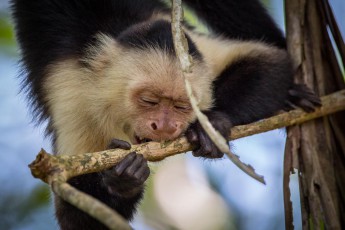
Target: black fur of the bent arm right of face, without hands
(265,95)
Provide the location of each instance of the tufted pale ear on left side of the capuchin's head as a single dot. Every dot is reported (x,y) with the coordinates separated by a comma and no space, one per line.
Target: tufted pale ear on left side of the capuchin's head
(102,53)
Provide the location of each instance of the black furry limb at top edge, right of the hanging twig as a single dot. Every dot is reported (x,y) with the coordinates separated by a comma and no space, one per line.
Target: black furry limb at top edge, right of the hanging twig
(244,20)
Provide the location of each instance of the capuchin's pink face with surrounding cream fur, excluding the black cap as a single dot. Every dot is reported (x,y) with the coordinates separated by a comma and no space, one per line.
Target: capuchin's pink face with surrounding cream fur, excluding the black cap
(144,92)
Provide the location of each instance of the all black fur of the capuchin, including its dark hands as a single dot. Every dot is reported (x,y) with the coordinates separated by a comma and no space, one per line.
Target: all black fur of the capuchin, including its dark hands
(248,90)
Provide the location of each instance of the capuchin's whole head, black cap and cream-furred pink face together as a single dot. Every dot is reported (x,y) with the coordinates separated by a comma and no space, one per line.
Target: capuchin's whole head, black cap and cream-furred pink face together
(142,87)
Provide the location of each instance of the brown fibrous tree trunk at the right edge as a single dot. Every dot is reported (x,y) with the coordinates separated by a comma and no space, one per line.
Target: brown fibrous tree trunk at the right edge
(316,148)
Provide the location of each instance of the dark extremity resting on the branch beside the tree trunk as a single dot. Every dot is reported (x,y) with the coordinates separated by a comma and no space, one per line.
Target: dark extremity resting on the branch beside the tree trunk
(303,97)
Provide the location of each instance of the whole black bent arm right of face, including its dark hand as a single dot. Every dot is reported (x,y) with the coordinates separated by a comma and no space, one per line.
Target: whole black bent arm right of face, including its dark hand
(248,89)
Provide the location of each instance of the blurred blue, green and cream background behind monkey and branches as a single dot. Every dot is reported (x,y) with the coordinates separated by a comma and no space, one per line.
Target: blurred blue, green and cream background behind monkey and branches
(182,193)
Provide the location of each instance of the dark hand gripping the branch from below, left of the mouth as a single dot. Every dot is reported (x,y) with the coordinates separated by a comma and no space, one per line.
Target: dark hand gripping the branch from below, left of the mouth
(126,179)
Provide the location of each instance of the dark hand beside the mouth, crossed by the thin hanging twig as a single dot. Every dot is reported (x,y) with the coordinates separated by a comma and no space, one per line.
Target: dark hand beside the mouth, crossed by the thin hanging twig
(204,146)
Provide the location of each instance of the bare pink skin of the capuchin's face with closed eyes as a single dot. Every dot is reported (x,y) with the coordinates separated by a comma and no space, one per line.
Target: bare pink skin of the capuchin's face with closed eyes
(162,117)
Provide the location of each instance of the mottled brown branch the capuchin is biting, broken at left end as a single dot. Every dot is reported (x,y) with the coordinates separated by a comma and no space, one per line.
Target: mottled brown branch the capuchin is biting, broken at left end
(49,167)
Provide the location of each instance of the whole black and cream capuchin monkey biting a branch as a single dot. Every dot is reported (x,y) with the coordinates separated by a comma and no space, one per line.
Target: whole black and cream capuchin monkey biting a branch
(104,74)
